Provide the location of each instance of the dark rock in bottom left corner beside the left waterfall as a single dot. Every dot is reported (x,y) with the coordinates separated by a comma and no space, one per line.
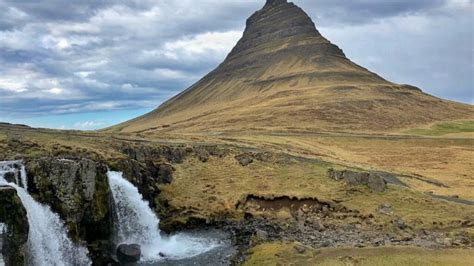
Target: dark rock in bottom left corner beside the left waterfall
(13,215)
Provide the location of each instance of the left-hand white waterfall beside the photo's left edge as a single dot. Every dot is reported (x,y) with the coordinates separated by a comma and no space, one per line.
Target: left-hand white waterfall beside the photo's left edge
(48,242)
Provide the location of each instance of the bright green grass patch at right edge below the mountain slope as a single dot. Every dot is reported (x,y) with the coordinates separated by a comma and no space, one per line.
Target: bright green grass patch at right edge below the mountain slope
(441,129)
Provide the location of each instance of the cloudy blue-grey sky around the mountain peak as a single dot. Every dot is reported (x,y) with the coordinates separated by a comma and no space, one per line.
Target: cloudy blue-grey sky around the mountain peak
(88,64)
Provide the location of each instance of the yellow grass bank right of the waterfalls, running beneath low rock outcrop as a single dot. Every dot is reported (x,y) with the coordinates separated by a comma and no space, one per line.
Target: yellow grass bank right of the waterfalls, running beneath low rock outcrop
(213,189)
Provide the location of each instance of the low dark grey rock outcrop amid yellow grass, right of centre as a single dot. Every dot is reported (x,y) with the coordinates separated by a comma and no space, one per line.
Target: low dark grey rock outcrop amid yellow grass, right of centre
(373,180)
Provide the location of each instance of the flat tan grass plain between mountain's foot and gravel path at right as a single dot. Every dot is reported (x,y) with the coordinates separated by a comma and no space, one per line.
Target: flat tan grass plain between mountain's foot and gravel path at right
(449,161)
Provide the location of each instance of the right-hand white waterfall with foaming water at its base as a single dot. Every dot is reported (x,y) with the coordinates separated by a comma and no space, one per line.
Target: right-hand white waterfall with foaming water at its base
(137,224)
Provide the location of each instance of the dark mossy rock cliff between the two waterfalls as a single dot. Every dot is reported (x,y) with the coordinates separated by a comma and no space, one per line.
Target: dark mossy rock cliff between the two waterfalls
(76,189)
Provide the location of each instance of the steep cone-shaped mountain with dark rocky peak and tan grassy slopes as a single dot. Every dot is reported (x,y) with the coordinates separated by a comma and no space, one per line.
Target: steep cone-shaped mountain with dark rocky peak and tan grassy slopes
(284,75)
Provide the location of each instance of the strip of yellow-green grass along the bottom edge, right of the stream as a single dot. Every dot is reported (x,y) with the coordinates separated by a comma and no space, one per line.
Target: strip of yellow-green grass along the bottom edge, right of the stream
(280,253)
